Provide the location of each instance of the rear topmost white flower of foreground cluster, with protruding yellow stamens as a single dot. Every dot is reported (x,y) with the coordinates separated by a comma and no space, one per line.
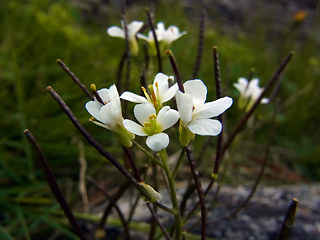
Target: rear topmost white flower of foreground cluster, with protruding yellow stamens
(160,92)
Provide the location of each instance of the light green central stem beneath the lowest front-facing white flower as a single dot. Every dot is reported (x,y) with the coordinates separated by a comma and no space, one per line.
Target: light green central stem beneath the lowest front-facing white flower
(173,195)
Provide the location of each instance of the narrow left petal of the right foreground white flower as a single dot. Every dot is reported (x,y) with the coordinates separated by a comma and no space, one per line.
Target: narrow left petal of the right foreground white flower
(185,106)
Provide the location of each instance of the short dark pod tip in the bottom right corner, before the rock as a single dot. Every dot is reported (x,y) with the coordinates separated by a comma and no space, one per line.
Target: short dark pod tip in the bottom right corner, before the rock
(288,220)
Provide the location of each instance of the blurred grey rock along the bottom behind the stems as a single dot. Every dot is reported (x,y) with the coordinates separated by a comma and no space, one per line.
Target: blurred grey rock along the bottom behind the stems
(260,219)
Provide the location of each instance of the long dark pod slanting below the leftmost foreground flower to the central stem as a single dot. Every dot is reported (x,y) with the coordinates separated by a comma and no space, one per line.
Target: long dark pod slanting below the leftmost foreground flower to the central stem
(102,151)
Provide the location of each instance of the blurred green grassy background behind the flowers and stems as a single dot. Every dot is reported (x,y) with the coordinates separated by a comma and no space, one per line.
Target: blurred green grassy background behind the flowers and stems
(34,33)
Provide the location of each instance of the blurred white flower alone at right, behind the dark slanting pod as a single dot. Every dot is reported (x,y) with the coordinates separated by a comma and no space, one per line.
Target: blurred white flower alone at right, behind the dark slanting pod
(249,92)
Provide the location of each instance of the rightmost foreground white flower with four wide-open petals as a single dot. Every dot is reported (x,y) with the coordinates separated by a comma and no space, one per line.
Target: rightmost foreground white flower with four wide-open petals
(195,114)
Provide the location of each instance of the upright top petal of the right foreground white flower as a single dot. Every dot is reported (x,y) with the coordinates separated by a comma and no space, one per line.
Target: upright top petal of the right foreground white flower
(197,90)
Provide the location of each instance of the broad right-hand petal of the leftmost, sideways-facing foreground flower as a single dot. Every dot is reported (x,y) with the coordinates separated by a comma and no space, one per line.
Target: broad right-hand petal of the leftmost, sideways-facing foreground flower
(111,114)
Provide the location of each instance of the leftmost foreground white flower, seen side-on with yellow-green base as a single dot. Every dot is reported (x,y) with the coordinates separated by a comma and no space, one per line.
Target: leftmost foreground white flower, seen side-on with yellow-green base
(106,110)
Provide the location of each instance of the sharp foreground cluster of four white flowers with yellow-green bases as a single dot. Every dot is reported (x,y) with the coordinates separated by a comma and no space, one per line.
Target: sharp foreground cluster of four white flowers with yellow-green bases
(154,118)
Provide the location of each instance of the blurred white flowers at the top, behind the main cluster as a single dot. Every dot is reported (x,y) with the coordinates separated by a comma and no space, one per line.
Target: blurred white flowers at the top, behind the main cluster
(164,36)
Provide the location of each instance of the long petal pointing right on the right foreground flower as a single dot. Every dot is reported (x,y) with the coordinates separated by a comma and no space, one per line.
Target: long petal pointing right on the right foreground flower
(214,108)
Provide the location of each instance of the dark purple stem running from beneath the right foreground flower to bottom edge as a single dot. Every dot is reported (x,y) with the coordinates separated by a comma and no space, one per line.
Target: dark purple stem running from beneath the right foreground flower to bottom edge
(197,182)
